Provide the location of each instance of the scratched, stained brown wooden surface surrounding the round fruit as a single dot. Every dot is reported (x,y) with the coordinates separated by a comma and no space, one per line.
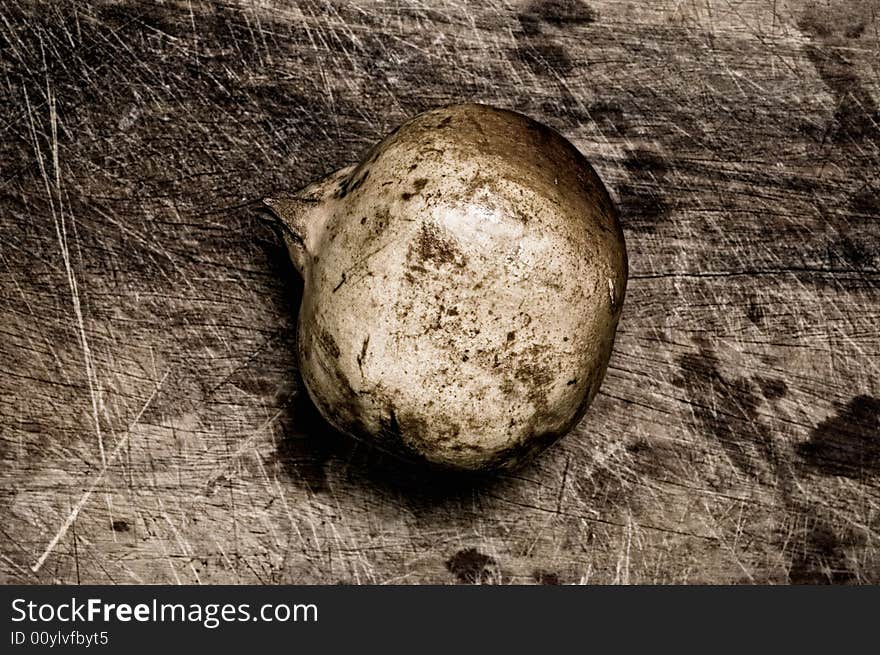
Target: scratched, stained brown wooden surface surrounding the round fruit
(152,425)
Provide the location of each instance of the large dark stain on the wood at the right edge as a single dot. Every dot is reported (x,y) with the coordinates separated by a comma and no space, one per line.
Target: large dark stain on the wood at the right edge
(847,444)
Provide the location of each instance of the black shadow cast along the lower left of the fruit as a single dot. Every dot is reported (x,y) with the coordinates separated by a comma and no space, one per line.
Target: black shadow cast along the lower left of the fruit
(310,447)
